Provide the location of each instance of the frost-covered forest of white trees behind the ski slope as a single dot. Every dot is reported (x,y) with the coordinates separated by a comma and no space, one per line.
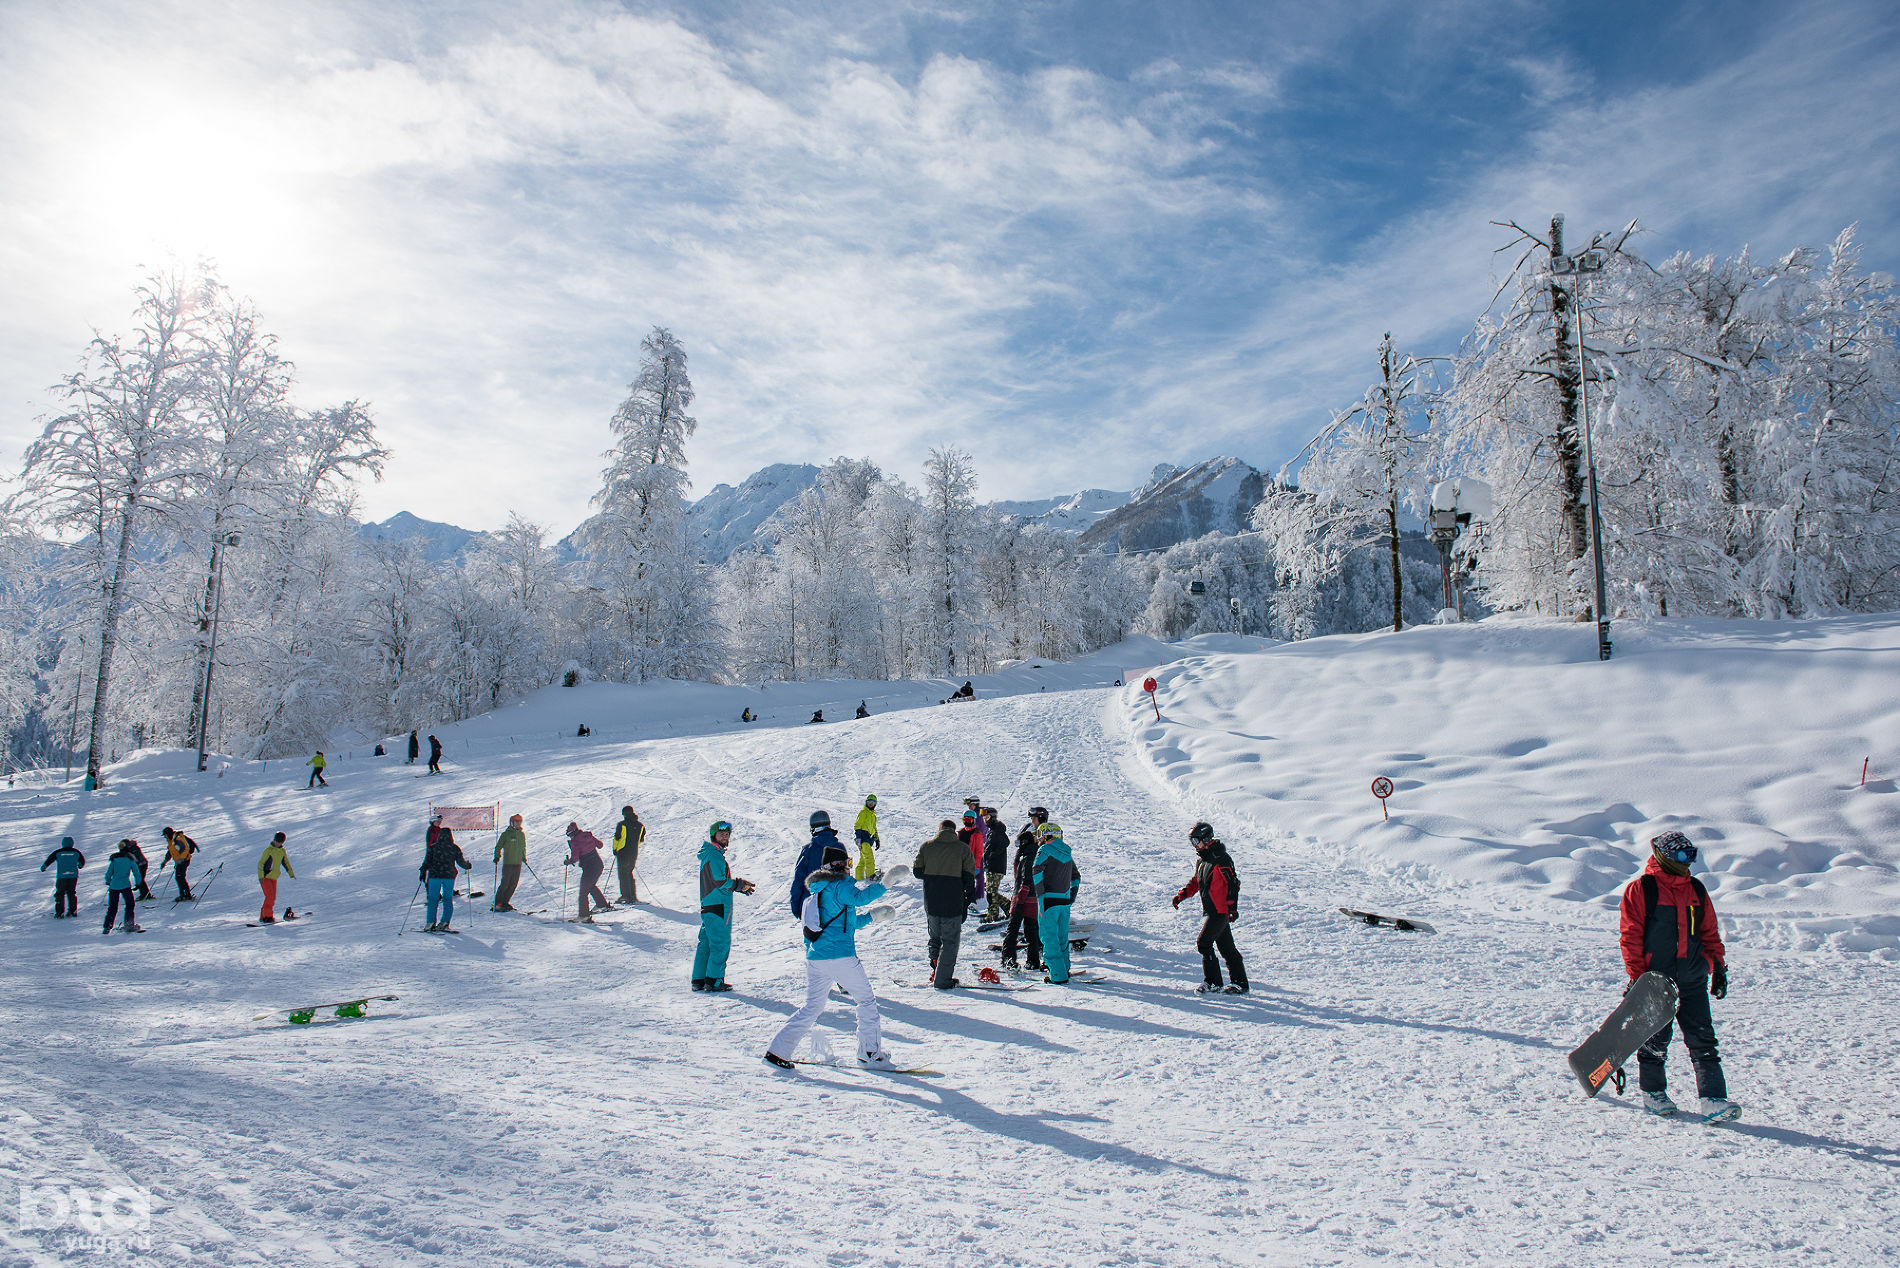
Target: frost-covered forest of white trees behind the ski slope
(1741,412)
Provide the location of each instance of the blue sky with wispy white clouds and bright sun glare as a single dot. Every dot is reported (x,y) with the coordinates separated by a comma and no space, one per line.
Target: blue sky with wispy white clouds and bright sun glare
(1073,239)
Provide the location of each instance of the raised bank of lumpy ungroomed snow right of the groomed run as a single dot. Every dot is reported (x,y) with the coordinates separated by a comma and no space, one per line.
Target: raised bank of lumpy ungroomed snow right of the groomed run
(1525,765)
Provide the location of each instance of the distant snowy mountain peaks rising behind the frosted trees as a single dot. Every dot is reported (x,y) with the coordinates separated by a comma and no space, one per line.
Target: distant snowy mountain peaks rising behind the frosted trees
(1177,505)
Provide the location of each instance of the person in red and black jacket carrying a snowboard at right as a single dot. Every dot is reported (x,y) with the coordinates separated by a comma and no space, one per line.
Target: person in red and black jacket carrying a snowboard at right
(1671,929)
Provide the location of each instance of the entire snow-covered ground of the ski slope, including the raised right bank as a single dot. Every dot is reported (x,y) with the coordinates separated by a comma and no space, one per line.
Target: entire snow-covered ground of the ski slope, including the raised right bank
(552,1094)
